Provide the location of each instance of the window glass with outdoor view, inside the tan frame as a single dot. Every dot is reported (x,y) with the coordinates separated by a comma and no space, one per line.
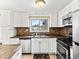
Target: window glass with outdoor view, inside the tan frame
(39,25)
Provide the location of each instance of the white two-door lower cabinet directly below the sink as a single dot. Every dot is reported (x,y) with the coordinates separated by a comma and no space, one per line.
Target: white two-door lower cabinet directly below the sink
(39,45)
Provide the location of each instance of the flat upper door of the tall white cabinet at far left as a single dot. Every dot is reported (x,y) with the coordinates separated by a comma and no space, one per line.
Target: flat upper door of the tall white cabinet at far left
(4,18)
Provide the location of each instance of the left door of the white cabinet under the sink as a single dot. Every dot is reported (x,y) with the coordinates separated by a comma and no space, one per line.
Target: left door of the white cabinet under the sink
(35,45)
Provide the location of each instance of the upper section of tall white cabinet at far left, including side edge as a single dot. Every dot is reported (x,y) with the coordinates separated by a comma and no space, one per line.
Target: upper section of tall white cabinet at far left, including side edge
(6,18)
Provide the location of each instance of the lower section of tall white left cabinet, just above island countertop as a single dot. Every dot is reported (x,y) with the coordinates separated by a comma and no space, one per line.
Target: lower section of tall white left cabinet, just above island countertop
(6,33)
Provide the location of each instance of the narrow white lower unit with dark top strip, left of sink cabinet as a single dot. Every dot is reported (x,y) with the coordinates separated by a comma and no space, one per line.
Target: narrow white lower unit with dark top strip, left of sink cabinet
(26,45)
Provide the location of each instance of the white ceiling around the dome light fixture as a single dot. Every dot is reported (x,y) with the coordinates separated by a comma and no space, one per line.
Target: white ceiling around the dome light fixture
(52,6)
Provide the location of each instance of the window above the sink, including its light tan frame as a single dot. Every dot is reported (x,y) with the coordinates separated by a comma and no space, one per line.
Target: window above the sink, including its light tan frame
(39,23)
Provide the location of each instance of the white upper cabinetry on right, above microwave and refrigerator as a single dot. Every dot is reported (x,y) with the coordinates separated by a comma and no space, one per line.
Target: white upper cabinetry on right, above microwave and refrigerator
(74,5)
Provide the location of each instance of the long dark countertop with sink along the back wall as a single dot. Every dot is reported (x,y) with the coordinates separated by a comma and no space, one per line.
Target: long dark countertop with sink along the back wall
(29,37)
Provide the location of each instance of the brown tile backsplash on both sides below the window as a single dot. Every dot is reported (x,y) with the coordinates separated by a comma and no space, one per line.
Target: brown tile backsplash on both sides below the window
(53,31)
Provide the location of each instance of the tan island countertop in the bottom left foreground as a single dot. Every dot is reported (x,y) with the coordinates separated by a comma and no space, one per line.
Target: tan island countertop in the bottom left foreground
(7,51)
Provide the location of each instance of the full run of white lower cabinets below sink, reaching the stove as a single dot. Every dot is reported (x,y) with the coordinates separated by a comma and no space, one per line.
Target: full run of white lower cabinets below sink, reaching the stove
(43,45)
